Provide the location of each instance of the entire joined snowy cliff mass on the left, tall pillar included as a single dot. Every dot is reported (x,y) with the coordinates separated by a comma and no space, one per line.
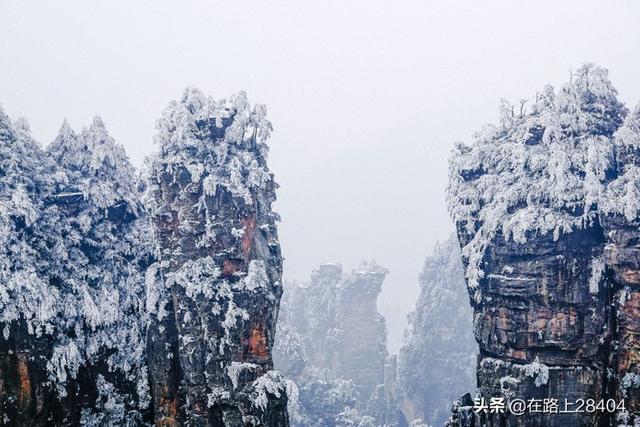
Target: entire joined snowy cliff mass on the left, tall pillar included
(127,301)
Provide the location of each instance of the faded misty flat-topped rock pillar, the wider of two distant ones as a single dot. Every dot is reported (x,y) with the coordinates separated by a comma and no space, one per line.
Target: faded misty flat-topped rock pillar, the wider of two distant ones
(332,344)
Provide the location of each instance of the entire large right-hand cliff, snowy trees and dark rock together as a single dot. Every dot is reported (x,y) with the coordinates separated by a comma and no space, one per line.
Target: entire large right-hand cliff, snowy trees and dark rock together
(545,205)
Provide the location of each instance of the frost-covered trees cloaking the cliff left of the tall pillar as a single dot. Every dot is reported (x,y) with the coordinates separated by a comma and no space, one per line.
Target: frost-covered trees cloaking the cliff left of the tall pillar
(73,255)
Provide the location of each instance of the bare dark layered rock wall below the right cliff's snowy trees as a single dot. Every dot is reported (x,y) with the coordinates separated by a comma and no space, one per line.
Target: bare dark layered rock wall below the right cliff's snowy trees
(541,311)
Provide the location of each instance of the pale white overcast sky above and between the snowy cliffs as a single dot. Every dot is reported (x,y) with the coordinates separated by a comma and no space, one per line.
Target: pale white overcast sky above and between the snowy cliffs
(366,97)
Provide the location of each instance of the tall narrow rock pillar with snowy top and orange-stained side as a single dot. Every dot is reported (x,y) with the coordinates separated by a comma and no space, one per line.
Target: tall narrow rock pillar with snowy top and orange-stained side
(213,295)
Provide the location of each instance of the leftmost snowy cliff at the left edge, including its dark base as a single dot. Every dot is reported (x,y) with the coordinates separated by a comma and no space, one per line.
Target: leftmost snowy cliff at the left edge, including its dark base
(29,306)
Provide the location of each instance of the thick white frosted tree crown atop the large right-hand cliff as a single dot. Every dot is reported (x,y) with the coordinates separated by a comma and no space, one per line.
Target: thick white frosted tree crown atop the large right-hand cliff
(540,170)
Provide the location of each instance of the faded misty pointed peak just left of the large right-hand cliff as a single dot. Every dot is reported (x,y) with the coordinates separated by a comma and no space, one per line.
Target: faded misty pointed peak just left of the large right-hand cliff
(437,359)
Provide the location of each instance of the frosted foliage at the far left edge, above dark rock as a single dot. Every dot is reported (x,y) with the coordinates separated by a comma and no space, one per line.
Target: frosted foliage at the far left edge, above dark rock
(25,293)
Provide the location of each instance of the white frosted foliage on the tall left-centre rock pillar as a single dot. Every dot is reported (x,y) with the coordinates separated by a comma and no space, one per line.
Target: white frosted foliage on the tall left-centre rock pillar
(221,145)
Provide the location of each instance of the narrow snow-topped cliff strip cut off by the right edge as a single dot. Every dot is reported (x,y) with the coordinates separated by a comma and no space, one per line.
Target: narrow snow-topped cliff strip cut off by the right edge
(621,224)
